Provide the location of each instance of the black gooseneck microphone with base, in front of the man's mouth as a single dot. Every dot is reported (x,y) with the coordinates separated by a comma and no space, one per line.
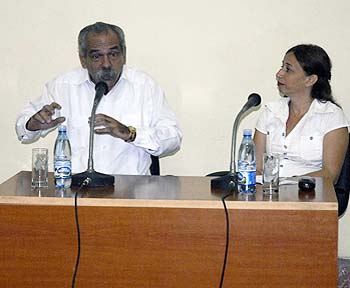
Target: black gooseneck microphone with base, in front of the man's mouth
(95,179)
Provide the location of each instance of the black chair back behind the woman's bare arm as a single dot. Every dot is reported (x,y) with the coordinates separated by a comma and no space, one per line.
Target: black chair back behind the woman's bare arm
(342,188)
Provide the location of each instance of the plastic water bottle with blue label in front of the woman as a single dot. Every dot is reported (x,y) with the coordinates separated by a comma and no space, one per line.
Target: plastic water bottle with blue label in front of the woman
(247,164)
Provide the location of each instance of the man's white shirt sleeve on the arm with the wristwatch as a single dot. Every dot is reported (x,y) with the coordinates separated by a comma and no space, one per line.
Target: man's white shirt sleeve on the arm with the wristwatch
(164,136)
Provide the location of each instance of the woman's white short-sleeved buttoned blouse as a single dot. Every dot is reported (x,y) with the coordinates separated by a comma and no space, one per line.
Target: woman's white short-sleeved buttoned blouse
(301,150)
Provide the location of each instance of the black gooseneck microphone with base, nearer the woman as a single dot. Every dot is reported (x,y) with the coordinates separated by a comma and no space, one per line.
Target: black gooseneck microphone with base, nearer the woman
(229,182)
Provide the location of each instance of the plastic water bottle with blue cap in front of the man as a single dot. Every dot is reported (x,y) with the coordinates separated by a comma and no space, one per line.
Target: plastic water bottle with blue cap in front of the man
(62,159)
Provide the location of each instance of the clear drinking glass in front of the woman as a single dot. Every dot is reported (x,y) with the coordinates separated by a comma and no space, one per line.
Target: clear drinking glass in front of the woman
(270,177)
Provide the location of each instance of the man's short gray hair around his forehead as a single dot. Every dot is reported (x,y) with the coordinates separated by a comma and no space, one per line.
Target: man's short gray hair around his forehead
(99,27)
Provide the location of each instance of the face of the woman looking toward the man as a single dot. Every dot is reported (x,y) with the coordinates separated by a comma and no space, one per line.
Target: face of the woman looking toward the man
(291,78)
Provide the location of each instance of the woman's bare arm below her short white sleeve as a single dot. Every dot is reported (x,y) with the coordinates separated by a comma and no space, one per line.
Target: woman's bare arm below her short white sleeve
(335,144)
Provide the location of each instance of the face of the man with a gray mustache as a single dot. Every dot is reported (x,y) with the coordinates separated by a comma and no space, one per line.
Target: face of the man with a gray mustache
(104,59)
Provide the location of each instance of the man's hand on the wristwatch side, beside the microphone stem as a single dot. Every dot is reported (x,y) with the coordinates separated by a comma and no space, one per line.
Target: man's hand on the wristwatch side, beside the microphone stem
(111,126)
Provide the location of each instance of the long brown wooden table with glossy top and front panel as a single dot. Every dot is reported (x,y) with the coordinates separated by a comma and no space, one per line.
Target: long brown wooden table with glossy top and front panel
(166,231)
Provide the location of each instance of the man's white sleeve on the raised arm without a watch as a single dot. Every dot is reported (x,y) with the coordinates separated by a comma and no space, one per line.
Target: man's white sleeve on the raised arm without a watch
(24,135)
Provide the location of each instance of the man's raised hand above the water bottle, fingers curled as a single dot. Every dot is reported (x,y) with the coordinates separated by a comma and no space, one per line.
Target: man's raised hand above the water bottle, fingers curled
(42,120)
